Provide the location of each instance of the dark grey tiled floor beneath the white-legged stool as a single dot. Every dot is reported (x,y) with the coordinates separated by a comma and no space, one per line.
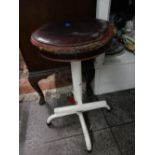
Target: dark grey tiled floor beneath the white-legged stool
(112,132)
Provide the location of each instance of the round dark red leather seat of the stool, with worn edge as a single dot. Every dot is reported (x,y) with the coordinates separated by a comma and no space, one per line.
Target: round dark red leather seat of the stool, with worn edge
(72,40)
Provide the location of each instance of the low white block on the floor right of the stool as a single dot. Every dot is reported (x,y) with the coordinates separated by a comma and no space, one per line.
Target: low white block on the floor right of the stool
(117,73)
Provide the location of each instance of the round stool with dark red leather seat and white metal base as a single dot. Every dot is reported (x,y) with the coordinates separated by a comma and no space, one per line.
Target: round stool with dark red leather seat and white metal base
(74,41)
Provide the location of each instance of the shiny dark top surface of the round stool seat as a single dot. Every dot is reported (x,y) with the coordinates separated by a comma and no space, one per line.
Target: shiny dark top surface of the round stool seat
(70,33)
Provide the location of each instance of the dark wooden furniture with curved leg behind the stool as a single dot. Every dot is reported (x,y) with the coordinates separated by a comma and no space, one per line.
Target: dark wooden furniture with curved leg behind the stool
(34,13)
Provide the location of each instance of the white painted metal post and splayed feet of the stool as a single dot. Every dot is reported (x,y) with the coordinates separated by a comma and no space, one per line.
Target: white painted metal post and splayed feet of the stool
(79,108)
